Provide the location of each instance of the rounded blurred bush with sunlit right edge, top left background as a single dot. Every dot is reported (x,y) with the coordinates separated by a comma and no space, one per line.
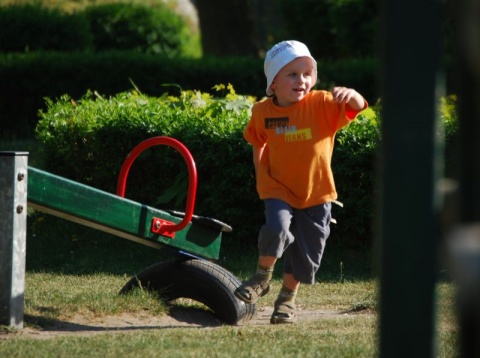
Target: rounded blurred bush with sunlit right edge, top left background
(122,26)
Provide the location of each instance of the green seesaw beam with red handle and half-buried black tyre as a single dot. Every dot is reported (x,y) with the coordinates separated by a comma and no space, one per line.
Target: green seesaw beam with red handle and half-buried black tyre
(193,240)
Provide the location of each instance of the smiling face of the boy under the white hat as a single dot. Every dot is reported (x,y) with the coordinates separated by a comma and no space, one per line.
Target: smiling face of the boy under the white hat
(294,81)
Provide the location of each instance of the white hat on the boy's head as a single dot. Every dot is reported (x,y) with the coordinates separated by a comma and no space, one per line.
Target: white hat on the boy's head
(282,54)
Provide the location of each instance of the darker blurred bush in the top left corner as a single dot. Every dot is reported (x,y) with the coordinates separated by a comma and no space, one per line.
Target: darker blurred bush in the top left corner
(35,28)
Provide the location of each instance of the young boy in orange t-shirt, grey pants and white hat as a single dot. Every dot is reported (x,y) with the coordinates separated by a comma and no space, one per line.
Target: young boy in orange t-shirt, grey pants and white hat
(292,134)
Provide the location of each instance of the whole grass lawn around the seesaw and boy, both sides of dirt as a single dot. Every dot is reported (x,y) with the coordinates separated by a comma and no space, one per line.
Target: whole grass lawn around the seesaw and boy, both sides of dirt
(74,271)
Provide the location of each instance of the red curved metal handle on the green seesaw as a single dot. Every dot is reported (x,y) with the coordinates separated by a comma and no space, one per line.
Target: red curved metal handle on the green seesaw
(192,176)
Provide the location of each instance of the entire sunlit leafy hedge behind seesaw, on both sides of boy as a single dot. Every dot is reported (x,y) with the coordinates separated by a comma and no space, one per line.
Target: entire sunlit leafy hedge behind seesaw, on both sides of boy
(88,139)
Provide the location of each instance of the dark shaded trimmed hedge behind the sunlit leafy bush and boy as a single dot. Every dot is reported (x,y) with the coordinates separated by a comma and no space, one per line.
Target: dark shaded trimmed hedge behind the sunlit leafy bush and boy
(28,78)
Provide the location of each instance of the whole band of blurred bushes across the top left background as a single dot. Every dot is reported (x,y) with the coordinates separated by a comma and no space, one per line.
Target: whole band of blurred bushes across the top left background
(118,26)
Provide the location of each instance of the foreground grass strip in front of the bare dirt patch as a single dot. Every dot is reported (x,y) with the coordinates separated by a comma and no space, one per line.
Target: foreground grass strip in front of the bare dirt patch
(325,339)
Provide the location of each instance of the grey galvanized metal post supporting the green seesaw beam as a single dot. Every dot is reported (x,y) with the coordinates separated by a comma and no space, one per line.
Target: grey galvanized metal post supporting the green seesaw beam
(13,223)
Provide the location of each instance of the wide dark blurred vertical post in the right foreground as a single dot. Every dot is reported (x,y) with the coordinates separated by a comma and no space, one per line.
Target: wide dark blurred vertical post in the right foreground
(407,207)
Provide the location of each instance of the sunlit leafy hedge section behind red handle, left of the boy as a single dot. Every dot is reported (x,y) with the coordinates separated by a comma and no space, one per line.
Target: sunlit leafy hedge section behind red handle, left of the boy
(87,141)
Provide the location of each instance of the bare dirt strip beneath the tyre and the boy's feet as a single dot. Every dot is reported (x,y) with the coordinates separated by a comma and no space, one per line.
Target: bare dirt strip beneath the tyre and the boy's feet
(125,323)
